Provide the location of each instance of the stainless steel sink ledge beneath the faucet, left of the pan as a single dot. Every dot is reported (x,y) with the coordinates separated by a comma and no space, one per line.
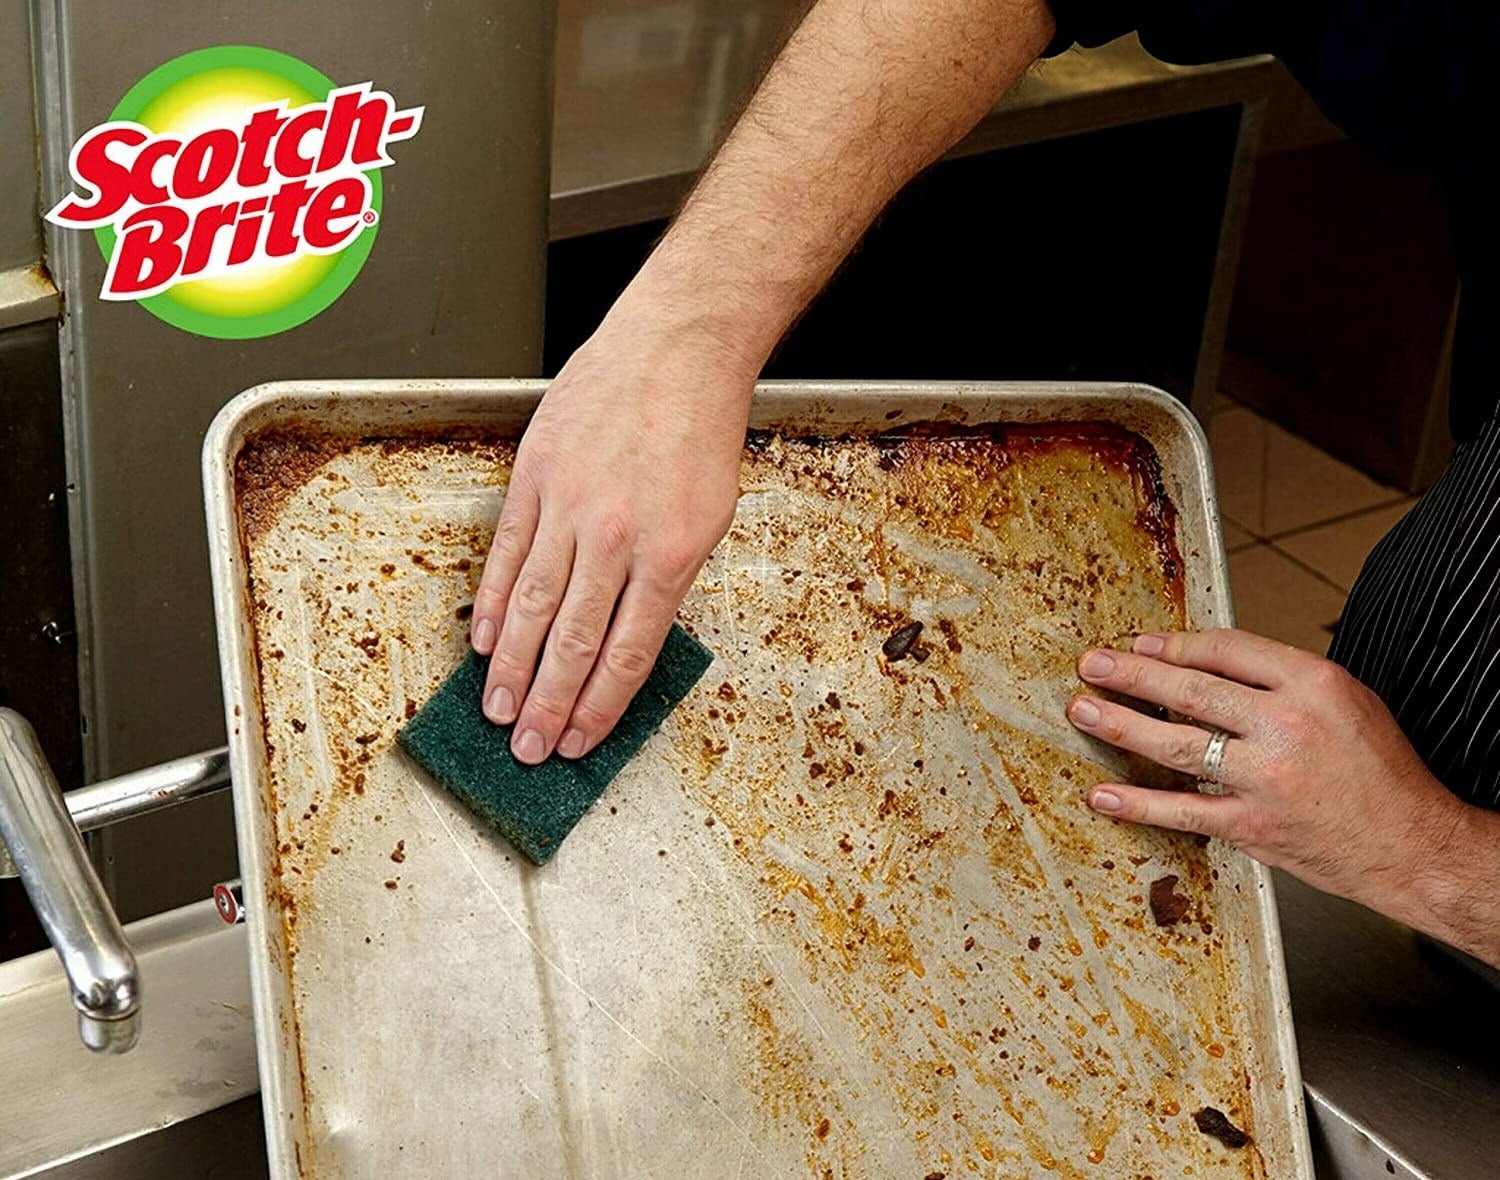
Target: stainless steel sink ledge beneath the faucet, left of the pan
(182,1104)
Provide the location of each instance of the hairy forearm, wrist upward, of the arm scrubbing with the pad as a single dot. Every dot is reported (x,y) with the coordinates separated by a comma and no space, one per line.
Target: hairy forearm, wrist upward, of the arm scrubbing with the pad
(865,97)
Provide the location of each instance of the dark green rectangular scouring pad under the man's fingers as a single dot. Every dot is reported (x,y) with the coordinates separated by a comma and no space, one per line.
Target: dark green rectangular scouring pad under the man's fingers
(536,807)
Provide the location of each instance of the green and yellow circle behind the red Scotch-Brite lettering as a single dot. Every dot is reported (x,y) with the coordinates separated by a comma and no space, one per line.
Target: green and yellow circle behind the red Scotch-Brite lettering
(277,296)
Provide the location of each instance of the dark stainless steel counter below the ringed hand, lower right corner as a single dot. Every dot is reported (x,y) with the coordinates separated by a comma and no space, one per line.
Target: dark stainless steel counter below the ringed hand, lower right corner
(1399,1043)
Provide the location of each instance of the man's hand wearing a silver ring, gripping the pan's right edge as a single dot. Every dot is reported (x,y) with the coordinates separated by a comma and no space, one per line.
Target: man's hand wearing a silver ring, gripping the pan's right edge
(1318,777)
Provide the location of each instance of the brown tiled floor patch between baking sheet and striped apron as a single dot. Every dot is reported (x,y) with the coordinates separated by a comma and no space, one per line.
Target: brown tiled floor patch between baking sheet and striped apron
(1298,526)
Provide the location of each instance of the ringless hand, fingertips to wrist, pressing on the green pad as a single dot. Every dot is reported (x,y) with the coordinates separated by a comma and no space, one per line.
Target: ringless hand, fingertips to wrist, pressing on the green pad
(625,482)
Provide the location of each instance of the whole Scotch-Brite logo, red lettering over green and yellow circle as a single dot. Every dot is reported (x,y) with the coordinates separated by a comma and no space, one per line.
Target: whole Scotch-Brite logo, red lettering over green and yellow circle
(236,191)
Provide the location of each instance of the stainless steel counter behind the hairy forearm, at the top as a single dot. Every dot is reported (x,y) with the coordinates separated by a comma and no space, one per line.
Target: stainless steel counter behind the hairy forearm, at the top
(644,91)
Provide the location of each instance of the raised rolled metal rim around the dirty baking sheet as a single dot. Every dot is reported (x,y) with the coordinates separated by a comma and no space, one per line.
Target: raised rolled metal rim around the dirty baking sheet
(358,407)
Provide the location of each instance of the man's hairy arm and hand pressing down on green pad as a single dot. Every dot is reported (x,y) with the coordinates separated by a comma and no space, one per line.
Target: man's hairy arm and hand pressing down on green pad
(628,476)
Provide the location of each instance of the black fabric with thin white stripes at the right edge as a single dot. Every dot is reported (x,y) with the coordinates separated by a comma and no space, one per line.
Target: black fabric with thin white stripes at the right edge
(1423,623)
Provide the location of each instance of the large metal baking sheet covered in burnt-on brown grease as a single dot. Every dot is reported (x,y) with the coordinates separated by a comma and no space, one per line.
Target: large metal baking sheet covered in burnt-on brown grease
(841,918)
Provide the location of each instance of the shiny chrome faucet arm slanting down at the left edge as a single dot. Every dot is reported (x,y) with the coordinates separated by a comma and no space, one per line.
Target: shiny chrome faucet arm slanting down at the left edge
(50,858)
